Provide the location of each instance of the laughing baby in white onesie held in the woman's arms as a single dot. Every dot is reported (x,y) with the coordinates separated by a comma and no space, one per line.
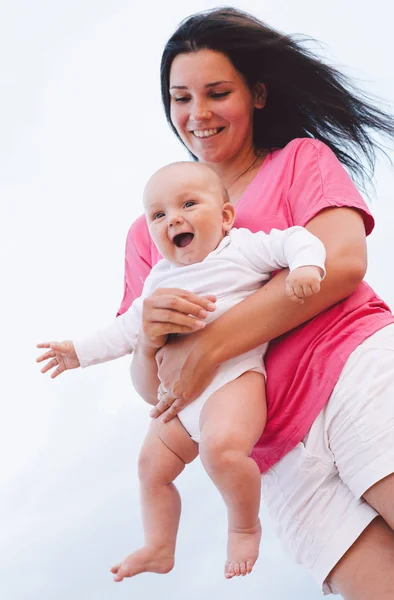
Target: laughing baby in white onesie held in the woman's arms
(190,220)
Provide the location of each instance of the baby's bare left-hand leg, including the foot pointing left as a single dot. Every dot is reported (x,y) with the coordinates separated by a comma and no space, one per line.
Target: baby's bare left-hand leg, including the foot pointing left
(166,450)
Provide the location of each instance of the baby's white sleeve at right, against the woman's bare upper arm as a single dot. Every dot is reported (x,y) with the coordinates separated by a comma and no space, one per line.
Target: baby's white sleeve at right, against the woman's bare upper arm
(293,247)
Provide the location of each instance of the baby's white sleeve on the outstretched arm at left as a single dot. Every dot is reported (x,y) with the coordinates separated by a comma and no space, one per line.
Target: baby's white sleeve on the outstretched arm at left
(117,339)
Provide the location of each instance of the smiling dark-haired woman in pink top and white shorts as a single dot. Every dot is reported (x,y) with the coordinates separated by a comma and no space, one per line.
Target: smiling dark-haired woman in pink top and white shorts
(272,121)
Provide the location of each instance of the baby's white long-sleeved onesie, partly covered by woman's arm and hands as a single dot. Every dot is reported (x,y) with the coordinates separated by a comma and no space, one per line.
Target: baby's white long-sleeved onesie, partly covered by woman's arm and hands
(238,267)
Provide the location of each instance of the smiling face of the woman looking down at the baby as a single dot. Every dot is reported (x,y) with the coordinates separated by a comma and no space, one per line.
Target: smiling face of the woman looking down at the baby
(211,106)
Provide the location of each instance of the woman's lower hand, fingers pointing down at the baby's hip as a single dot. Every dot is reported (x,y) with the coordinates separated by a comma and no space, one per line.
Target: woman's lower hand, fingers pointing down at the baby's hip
(186,366)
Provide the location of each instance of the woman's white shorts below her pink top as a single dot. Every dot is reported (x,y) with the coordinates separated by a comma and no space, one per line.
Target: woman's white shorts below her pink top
(314,494)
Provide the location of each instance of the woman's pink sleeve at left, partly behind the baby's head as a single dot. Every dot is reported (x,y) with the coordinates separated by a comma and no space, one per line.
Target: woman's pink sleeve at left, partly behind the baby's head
(138,262)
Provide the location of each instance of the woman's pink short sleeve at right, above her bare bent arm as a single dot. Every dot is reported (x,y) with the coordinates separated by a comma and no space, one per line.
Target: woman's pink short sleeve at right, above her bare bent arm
(319,181)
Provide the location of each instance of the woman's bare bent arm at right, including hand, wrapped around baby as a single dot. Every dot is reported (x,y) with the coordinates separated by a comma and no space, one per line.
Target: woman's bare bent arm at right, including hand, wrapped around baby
(267,313)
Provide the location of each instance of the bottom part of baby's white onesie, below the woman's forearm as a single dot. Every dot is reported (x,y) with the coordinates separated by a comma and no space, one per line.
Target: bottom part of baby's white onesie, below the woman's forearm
(228,371)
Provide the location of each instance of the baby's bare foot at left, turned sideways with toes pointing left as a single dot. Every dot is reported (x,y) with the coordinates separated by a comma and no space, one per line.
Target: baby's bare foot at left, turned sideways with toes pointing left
(147,559)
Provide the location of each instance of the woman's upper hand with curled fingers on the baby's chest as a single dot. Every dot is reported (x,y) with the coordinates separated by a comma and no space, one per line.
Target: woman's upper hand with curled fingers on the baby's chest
(172,310)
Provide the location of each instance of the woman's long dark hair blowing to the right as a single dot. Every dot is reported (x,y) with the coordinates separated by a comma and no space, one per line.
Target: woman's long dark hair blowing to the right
(306,98)
